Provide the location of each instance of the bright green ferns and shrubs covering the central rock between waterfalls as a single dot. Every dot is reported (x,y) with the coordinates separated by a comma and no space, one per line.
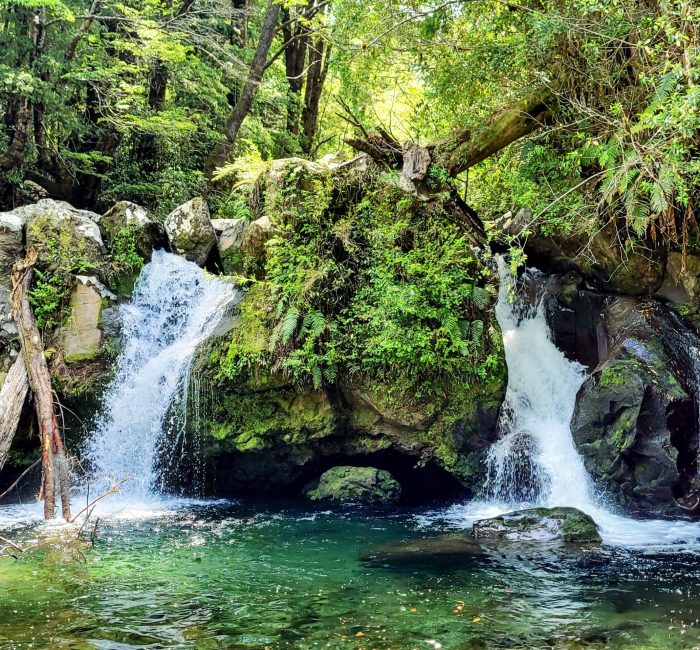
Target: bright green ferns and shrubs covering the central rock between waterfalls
(364,279)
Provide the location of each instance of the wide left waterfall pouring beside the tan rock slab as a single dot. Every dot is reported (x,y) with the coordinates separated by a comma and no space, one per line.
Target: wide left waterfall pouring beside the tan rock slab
(175,307)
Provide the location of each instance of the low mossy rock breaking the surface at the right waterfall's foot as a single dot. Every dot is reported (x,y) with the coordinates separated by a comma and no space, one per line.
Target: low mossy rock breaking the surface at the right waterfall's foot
(540,525)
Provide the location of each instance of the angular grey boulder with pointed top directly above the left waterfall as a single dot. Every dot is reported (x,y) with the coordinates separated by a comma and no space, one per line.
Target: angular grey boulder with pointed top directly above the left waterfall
(190,231)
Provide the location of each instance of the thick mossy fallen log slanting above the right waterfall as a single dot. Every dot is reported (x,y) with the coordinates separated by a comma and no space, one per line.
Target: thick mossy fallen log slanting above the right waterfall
(464,149)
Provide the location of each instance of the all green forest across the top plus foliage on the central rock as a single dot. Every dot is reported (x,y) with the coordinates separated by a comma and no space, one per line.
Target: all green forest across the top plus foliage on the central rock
(155,102)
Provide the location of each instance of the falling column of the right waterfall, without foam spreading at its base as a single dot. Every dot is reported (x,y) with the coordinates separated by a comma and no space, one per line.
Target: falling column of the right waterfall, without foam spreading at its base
(535,461)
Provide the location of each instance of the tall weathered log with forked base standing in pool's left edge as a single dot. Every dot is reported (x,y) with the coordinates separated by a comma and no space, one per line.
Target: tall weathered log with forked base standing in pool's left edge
(54,463)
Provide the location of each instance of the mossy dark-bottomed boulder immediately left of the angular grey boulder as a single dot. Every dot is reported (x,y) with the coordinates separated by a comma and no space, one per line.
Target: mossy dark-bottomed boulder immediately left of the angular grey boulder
(126,217)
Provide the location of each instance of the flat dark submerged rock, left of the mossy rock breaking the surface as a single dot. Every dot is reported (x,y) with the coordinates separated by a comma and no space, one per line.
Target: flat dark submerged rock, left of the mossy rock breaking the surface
(424,549)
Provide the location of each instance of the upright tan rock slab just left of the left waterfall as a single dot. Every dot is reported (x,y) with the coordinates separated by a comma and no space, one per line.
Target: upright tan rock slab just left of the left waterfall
(81,338)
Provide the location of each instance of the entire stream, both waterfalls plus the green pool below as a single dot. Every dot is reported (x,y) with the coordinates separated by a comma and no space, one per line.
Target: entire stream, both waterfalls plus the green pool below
(152,571)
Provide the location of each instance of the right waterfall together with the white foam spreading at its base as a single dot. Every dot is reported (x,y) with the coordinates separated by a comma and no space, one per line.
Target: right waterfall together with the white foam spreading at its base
(535,463)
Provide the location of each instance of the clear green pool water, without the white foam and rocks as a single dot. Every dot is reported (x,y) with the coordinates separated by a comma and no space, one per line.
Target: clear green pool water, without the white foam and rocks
(257,575)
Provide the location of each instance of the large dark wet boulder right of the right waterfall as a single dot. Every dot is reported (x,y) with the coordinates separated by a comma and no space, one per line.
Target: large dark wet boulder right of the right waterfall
(634,422)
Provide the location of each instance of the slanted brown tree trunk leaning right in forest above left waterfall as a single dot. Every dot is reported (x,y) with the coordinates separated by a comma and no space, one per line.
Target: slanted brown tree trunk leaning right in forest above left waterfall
(245,101)
